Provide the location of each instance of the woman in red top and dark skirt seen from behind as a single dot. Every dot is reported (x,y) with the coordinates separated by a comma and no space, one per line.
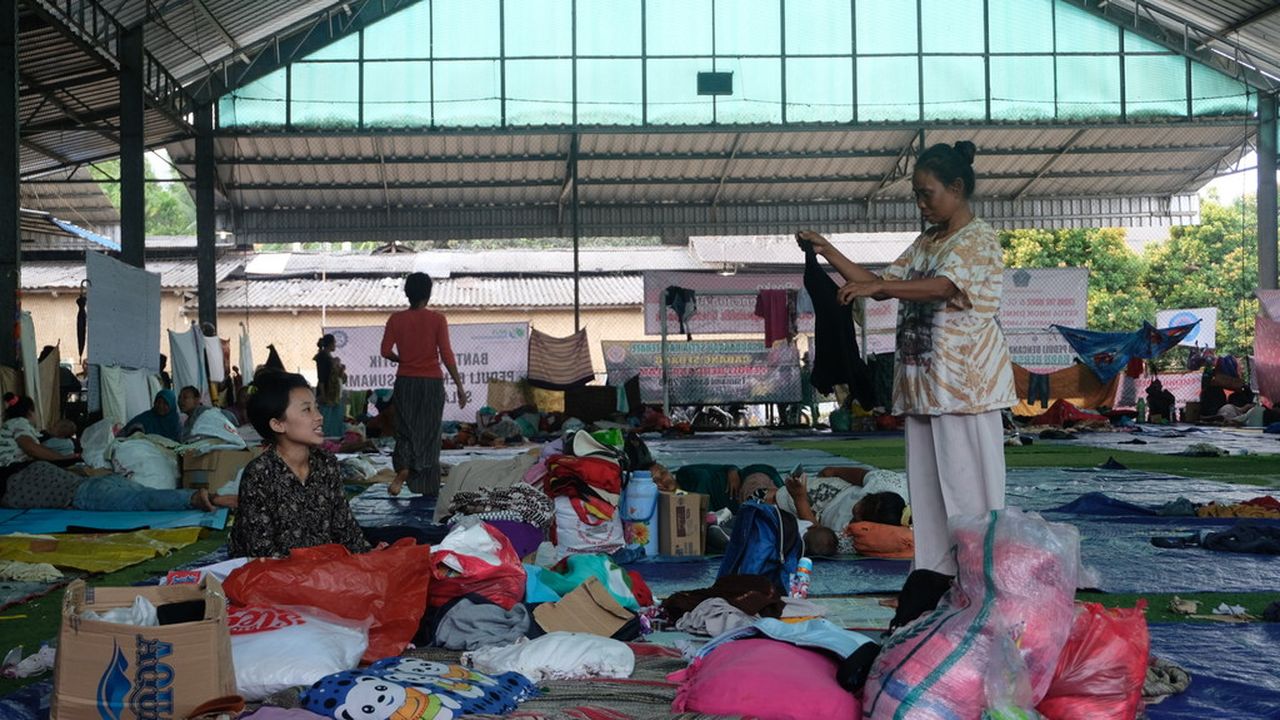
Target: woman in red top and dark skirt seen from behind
(418,340)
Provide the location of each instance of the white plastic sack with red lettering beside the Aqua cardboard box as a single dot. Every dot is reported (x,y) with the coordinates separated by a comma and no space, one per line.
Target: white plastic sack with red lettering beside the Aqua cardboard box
(275,649)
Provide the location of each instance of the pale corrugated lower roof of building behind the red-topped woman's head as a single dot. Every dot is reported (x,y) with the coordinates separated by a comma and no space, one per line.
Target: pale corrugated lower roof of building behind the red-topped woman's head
(388,294)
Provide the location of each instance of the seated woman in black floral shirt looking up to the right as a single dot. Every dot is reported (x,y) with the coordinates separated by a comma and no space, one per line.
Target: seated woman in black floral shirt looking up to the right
(291,496)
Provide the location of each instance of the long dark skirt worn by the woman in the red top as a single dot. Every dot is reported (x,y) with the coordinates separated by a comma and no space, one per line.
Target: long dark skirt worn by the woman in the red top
(419,412)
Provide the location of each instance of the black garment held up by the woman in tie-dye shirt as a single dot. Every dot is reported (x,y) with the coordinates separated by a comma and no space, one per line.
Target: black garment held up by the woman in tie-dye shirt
(836,358)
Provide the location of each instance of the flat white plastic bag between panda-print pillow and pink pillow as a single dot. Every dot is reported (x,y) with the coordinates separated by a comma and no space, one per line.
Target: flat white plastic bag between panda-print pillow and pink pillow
(557,657)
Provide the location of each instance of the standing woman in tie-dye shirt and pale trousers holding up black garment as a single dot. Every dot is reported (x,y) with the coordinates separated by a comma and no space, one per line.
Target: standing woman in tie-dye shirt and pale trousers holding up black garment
(953,373)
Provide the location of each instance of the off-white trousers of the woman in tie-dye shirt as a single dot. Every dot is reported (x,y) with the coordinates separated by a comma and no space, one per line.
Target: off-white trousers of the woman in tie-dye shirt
(956,466)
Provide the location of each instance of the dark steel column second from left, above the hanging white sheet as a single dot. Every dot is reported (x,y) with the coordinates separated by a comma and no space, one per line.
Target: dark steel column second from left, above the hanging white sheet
(134,216)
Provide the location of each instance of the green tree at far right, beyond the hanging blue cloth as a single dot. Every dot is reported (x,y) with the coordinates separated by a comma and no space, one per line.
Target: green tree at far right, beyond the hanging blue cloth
(1214,265)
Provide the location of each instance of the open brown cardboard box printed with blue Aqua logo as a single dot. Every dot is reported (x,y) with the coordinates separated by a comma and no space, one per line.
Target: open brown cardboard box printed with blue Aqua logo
(131,673)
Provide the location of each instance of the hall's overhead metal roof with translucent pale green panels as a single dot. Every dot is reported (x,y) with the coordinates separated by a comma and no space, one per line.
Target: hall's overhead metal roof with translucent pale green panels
(693,167)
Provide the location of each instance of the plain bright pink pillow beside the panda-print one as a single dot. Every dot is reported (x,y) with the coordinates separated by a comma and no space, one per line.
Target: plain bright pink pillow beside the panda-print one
(766,680)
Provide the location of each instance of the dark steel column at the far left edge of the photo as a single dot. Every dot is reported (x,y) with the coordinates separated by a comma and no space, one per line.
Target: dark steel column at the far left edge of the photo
(11,235)
